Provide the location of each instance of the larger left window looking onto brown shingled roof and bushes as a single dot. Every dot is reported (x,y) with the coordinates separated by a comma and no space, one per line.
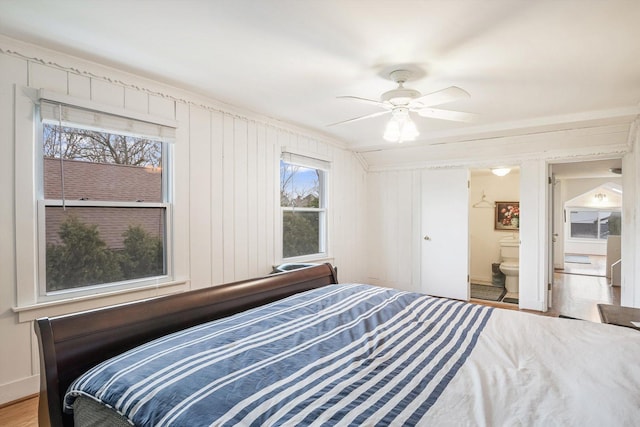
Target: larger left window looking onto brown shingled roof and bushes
(104,206)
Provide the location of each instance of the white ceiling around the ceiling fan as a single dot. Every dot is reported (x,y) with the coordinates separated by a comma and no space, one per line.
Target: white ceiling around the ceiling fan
(525,63)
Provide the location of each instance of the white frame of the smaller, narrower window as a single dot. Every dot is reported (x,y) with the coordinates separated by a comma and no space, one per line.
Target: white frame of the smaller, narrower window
(316,163)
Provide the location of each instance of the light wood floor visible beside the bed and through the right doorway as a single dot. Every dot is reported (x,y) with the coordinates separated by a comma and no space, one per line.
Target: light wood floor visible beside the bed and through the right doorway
(573,295)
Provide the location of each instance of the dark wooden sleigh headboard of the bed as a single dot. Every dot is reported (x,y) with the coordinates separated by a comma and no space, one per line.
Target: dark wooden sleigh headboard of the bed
(72,344)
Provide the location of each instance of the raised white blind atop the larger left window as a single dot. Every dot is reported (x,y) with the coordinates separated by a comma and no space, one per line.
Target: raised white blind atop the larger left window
(54,113)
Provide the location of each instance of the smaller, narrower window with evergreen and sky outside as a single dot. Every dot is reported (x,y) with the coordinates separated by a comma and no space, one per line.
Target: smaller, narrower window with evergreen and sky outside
(303,203)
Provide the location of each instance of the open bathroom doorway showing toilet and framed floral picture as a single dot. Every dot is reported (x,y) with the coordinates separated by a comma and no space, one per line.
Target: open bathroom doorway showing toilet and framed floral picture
(494,197)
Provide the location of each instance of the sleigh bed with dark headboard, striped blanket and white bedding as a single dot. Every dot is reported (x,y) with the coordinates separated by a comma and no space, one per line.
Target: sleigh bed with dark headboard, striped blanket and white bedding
(297,348)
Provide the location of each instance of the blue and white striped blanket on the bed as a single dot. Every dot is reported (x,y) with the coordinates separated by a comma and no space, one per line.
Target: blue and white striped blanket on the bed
(342,354)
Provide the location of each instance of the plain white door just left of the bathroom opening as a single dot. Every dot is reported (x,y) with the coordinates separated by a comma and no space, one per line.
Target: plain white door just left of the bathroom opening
(445,233)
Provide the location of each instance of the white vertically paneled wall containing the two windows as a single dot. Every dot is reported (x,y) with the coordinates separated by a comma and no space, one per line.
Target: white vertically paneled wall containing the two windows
(226,204)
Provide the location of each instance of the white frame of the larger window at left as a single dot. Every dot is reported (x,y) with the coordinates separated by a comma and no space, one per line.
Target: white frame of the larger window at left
(44,296)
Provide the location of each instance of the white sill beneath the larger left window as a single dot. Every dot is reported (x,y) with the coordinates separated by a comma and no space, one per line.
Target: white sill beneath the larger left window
(29,313)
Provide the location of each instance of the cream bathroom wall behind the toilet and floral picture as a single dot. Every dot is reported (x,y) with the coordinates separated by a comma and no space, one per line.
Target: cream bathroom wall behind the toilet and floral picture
(484,240)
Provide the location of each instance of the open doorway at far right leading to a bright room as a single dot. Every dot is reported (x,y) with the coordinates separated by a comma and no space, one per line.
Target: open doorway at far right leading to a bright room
(587,201)
